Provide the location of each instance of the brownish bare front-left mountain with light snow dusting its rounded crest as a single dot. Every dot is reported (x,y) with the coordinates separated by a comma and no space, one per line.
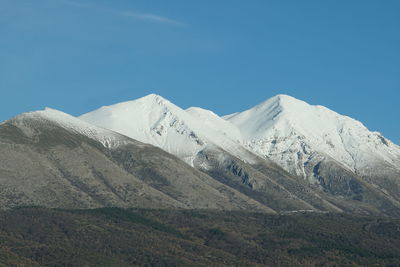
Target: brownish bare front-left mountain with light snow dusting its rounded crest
(51,159)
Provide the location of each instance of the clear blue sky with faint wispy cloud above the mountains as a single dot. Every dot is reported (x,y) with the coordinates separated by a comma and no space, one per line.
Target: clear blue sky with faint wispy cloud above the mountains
(225,55)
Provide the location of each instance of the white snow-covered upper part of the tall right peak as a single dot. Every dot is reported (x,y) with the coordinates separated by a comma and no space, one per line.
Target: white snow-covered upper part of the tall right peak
(293,134)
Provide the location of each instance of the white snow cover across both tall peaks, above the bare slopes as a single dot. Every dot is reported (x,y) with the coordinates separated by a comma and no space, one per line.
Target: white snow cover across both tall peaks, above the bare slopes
(295,135)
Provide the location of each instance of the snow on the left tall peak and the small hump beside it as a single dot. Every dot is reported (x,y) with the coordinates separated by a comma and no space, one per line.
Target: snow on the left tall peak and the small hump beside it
(184,133)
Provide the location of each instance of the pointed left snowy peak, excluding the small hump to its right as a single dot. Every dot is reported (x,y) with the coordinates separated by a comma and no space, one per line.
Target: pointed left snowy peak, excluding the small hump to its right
(153,119)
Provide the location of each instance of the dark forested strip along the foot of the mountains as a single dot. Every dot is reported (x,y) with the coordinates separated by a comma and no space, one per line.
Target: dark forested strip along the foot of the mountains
(35,236)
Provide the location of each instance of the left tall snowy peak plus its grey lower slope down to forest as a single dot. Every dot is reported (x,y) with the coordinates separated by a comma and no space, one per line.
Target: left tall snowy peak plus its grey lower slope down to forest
(210,144)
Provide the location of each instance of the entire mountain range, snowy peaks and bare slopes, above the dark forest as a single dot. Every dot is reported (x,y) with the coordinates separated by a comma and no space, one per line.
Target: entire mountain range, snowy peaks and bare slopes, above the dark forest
(283,155)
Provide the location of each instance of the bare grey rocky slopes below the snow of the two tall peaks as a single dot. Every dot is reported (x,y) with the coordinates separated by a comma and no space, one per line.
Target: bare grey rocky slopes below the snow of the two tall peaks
(268,183)
